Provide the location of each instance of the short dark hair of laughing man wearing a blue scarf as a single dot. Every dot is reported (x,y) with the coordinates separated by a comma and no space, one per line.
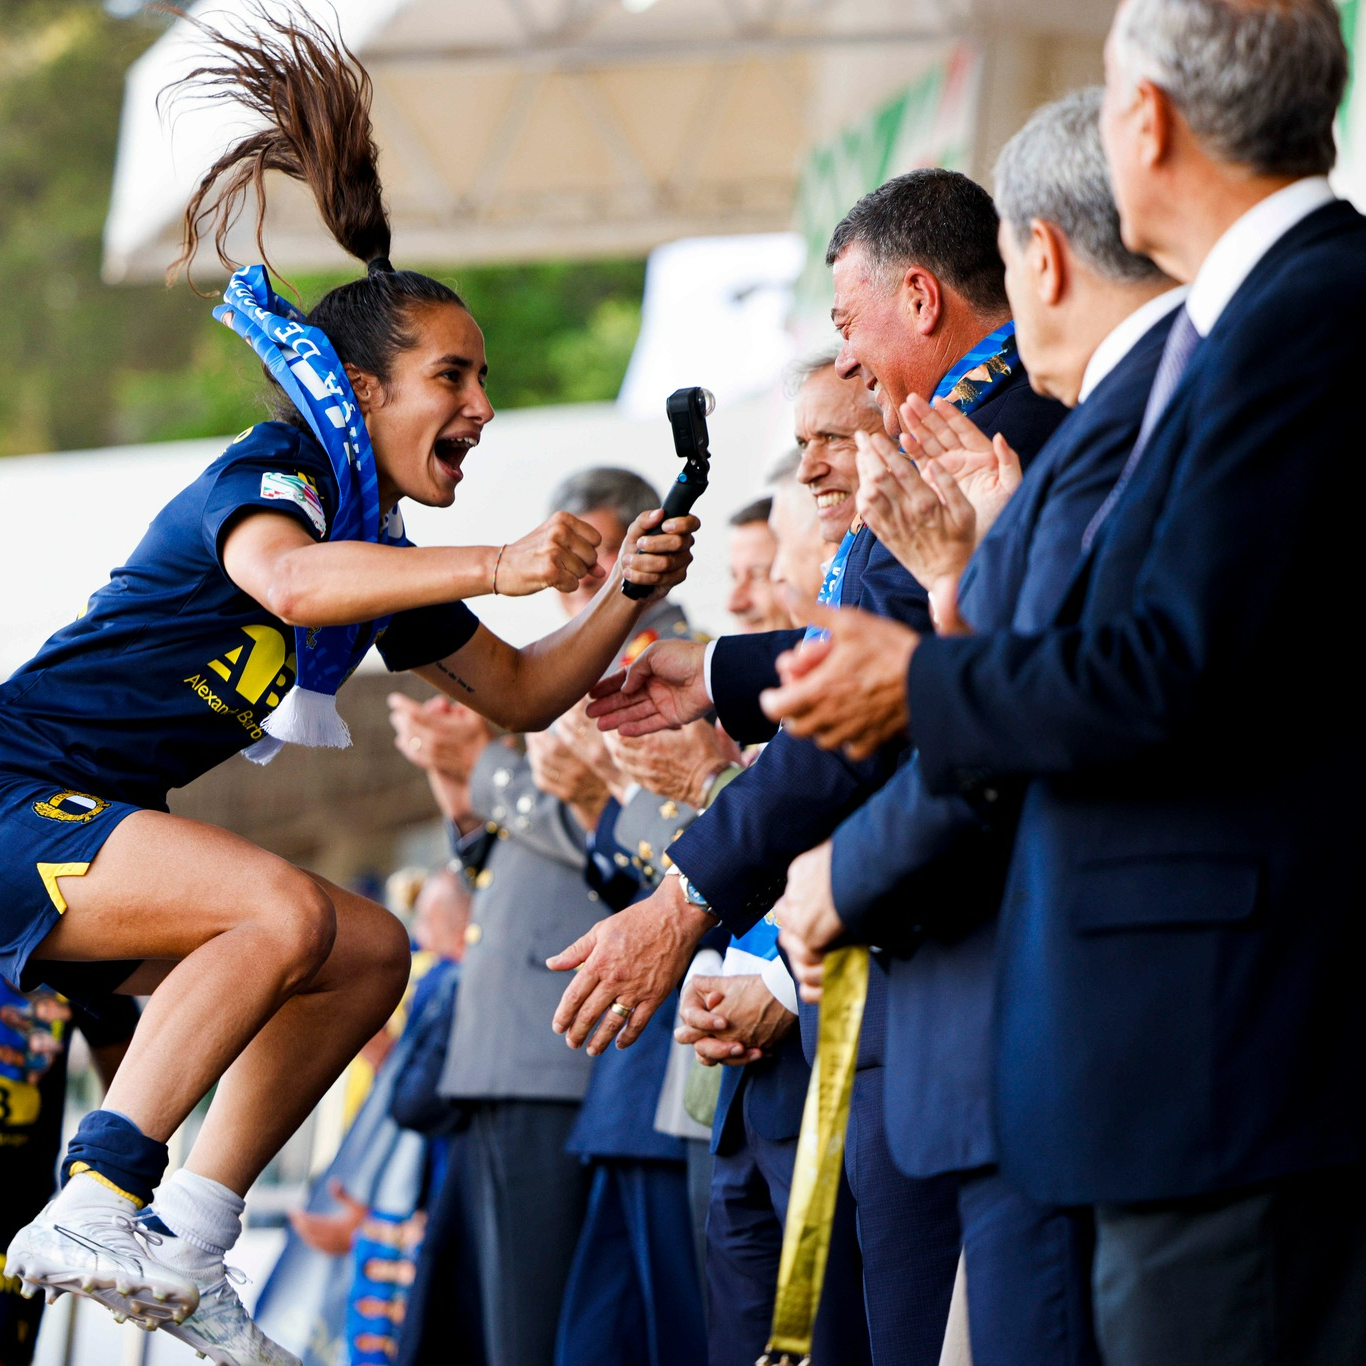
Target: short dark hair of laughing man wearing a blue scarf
(936,219)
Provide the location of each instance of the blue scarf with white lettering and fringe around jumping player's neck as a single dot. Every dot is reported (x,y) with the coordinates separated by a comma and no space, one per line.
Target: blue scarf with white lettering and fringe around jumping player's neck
(301,360)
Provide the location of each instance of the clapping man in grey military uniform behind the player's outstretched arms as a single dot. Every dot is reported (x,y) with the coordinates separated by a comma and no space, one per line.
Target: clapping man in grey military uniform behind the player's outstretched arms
(520,1084)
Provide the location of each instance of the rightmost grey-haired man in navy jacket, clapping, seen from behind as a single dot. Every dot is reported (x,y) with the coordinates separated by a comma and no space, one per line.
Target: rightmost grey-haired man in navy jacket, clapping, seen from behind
(1180,1021)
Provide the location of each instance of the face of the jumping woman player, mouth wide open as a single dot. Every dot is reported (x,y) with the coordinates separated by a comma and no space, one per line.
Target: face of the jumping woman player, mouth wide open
(431,415)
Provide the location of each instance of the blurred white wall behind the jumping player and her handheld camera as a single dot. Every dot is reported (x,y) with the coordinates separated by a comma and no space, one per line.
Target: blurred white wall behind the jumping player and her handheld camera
(74,517)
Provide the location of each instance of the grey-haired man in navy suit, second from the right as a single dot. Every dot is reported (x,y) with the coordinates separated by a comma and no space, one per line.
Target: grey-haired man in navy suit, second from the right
(923,874)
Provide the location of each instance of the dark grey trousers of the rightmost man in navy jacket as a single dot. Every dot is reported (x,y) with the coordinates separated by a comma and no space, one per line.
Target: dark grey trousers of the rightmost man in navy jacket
(1272,1277)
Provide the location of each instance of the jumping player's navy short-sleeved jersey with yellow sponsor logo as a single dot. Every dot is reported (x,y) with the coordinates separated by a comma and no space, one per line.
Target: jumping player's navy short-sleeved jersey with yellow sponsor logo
(173,669)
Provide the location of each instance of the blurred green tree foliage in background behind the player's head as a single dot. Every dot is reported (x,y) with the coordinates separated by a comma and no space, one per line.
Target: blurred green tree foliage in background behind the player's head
(91,365)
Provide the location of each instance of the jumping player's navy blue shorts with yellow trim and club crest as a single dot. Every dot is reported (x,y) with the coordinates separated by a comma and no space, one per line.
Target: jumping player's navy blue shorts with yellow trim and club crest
(50,833)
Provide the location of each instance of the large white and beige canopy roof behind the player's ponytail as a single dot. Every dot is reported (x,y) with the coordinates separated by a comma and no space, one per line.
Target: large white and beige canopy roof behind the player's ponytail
(533,129)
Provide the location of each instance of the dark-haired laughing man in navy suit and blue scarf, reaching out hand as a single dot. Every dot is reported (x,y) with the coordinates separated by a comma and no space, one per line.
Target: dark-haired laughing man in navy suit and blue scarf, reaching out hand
(917,274)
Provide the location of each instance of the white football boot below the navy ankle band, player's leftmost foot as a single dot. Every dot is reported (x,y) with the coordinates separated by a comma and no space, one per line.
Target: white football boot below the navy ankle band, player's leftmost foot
(102,1255)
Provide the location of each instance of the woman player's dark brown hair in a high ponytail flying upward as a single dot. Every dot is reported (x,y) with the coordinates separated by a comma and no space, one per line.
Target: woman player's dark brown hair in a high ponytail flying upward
(315,98)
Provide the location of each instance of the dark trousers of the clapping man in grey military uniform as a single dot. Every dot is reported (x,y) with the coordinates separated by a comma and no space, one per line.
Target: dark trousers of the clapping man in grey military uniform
(527,1201)
